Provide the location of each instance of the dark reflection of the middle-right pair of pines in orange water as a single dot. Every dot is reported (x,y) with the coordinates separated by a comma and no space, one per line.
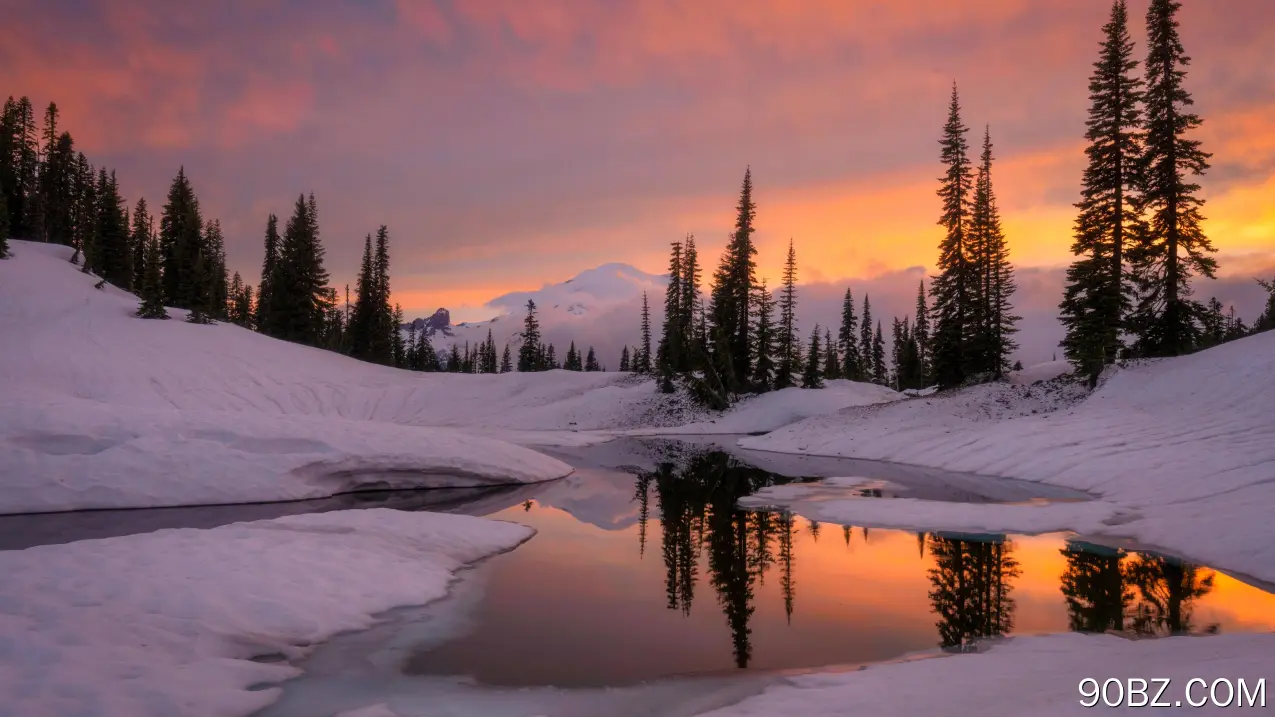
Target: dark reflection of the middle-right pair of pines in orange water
(971,588)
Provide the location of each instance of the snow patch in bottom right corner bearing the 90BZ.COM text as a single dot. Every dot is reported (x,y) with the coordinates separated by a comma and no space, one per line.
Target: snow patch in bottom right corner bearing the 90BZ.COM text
(1036,677)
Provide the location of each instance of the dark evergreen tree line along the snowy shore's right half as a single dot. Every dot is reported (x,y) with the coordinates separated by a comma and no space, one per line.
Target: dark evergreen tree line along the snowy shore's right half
(1129,295)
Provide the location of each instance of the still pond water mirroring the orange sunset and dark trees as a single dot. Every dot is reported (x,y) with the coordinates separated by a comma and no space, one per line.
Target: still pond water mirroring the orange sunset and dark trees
(659,575)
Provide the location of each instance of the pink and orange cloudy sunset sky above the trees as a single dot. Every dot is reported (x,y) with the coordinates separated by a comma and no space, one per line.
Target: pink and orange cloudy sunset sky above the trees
(509,145)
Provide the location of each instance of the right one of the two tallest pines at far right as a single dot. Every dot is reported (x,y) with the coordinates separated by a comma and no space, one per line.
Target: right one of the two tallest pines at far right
(1174,247)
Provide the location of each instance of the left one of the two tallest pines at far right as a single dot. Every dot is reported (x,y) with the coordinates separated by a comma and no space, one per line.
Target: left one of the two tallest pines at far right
(1096,303)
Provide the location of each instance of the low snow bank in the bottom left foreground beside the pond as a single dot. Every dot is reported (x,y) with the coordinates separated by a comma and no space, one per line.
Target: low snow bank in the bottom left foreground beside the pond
(169,625)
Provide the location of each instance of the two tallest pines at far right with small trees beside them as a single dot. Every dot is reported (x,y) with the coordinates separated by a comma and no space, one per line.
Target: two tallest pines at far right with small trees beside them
(1138,235)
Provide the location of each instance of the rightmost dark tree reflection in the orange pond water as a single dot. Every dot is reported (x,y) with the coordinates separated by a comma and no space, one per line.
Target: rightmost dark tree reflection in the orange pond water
(1146,594)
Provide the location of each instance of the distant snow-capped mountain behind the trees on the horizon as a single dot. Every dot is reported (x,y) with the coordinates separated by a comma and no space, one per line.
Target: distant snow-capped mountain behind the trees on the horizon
(599,308)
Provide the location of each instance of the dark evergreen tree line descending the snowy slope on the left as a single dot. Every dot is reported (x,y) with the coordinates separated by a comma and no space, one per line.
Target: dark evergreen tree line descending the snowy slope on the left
(50,192)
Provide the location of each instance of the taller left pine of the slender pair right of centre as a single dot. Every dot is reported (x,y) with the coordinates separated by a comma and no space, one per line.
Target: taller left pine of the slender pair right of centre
(954,289)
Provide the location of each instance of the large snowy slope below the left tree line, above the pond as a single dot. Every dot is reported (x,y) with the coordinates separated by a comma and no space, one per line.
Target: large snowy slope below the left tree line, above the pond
(103,410)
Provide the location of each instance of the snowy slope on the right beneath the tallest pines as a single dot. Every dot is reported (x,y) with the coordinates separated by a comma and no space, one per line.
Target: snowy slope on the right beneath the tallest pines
(1183,448)
